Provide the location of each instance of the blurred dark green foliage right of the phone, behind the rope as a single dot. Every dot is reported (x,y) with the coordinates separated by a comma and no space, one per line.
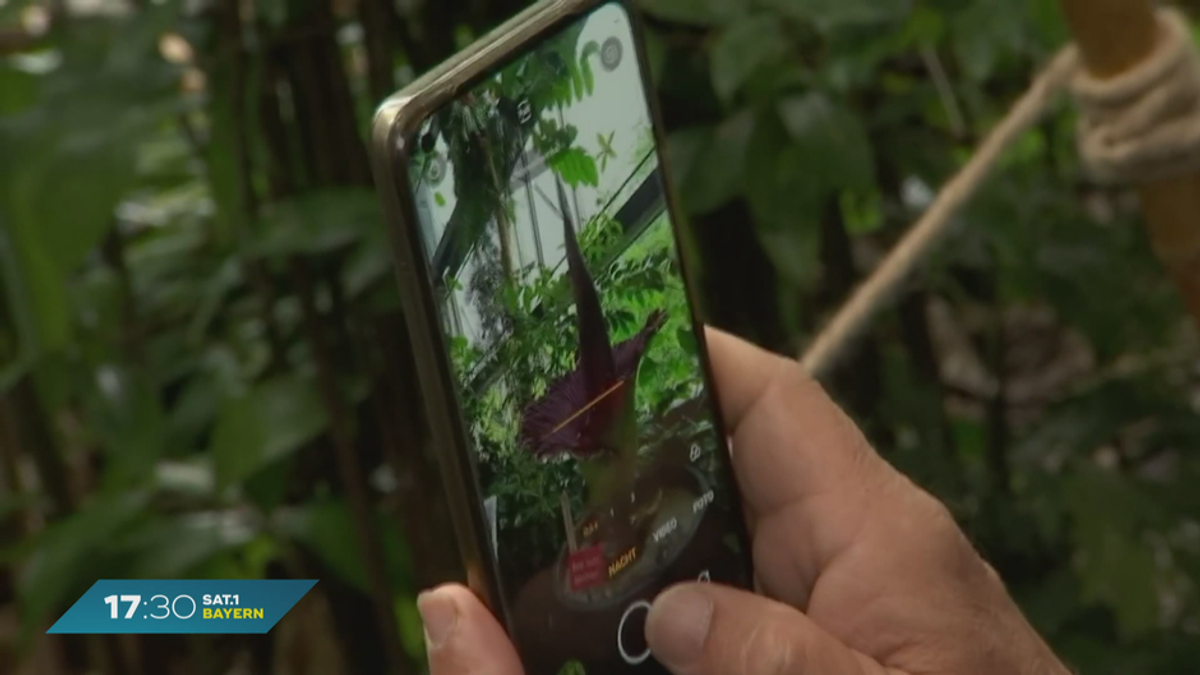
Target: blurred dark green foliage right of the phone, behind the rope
(827,144)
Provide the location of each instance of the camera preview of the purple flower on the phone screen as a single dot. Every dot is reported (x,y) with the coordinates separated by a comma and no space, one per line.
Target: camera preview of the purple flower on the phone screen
(553,253)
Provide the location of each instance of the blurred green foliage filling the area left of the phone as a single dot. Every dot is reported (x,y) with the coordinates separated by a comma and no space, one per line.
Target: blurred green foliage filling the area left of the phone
(152,334)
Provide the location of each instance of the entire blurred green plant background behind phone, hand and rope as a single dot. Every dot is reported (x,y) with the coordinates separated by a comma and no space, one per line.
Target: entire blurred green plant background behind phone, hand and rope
(205,369)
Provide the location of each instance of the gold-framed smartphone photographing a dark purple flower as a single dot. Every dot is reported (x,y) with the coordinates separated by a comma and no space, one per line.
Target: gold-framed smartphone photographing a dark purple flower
(561,357)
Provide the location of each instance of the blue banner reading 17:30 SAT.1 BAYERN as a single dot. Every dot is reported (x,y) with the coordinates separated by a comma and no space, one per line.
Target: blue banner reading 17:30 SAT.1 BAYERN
(183,607)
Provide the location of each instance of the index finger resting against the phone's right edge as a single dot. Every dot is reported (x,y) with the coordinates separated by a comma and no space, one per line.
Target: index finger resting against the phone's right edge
(807,474)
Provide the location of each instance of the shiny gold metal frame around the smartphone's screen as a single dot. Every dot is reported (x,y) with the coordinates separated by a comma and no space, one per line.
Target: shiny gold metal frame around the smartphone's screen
(397,123)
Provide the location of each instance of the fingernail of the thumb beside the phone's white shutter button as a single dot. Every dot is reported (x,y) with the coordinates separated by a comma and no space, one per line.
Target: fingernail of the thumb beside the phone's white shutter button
(677,626)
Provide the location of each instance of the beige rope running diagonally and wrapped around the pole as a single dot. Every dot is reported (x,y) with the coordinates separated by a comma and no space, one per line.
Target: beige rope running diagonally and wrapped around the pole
(1142,126)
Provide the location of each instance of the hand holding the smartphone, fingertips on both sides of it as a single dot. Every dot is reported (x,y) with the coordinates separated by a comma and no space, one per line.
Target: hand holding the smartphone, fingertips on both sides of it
(863,572)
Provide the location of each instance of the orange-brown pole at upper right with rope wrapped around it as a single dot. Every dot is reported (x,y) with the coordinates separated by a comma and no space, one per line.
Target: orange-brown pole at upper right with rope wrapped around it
(1114,37)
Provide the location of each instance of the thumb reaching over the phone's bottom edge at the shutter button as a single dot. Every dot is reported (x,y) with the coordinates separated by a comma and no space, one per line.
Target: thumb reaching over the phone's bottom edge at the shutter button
(710,630)
